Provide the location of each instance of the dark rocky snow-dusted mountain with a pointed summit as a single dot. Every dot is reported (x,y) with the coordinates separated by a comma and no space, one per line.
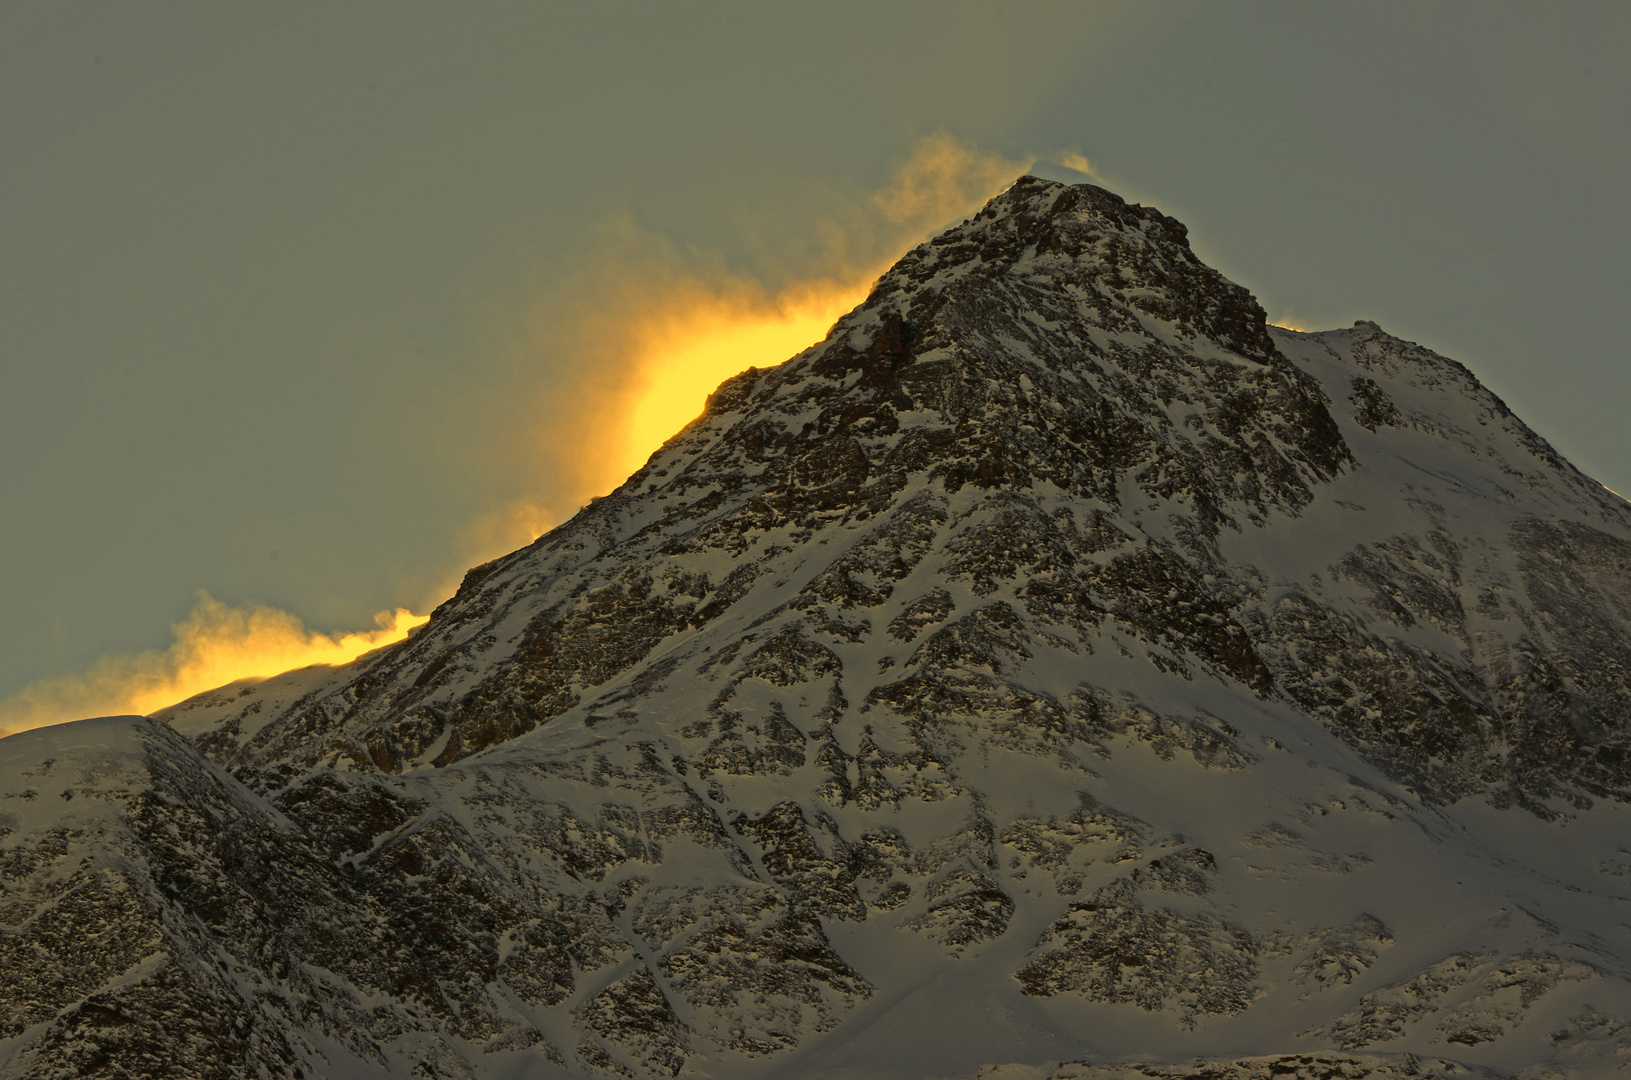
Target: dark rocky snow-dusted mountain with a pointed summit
(1054,665)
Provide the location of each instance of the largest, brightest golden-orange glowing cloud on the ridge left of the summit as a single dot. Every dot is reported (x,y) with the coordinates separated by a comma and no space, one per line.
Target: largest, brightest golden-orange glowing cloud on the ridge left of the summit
(648,334)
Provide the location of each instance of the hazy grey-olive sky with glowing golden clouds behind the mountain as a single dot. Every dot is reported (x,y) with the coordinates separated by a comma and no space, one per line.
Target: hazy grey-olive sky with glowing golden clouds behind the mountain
(309,308)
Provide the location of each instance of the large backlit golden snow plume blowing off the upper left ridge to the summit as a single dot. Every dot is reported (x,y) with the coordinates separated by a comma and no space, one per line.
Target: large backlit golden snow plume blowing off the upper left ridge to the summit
(609,365)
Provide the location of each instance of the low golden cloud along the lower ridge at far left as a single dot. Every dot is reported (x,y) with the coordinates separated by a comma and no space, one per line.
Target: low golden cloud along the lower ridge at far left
(216,645)
